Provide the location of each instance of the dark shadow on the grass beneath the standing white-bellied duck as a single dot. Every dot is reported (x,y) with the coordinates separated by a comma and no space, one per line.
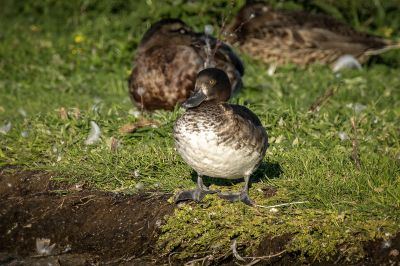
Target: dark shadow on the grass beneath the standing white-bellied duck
(264,171)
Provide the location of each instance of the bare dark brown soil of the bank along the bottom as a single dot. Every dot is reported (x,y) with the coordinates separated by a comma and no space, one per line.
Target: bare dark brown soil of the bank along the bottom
(90,227)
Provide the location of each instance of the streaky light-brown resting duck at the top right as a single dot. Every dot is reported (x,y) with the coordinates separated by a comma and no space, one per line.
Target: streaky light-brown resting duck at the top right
(280,37)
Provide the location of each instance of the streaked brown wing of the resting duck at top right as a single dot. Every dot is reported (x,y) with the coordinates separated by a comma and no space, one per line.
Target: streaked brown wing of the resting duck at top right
(311,31)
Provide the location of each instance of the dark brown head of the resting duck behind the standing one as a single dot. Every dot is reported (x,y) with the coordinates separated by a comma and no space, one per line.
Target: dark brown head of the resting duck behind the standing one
(166,31)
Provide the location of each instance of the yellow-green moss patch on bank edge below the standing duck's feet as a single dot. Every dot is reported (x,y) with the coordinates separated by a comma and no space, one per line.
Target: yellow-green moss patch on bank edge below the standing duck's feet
(211,226)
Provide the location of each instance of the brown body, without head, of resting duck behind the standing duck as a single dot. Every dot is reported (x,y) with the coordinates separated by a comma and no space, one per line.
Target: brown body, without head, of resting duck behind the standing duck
(165,74)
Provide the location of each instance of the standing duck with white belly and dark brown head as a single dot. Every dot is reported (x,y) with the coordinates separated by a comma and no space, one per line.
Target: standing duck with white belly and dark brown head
(218,139)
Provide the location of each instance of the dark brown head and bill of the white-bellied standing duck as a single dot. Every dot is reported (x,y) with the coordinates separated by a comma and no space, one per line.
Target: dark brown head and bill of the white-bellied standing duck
(212,84)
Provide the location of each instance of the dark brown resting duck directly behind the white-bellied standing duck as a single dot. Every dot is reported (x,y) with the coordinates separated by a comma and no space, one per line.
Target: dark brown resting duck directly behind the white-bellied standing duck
(168,59)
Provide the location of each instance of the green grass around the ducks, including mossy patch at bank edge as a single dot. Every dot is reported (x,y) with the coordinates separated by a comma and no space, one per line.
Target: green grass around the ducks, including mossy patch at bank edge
(77,56)
